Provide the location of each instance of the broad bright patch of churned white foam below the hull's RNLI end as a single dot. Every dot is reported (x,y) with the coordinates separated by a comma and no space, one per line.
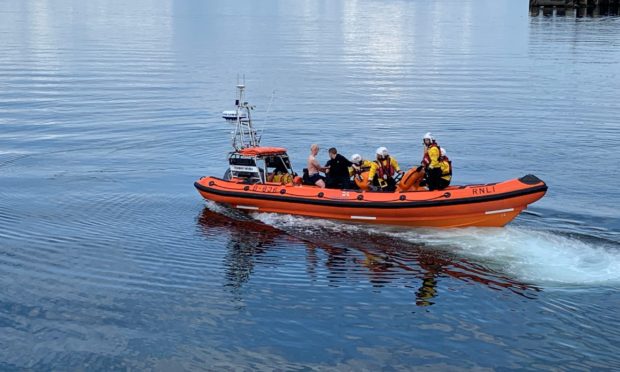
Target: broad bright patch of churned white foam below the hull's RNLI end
(531,255)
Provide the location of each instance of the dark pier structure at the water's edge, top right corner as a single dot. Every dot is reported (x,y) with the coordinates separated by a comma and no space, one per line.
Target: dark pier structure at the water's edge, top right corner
(575,8)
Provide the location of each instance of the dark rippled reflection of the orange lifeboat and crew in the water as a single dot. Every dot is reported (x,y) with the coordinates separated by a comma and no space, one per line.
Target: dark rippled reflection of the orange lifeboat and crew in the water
(382,259)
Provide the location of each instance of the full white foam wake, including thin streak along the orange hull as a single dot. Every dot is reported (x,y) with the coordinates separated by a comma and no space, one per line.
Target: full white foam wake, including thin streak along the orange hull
(534,256)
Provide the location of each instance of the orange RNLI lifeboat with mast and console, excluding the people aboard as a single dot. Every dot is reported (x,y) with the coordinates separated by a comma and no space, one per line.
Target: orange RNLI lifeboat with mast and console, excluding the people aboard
(262,179)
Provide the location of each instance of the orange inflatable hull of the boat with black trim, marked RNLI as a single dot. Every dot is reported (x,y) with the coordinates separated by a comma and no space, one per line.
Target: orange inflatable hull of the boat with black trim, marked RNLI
(487,205)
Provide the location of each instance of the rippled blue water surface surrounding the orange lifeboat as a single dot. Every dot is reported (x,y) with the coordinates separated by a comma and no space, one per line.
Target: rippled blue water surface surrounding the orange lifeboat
(110,260)
